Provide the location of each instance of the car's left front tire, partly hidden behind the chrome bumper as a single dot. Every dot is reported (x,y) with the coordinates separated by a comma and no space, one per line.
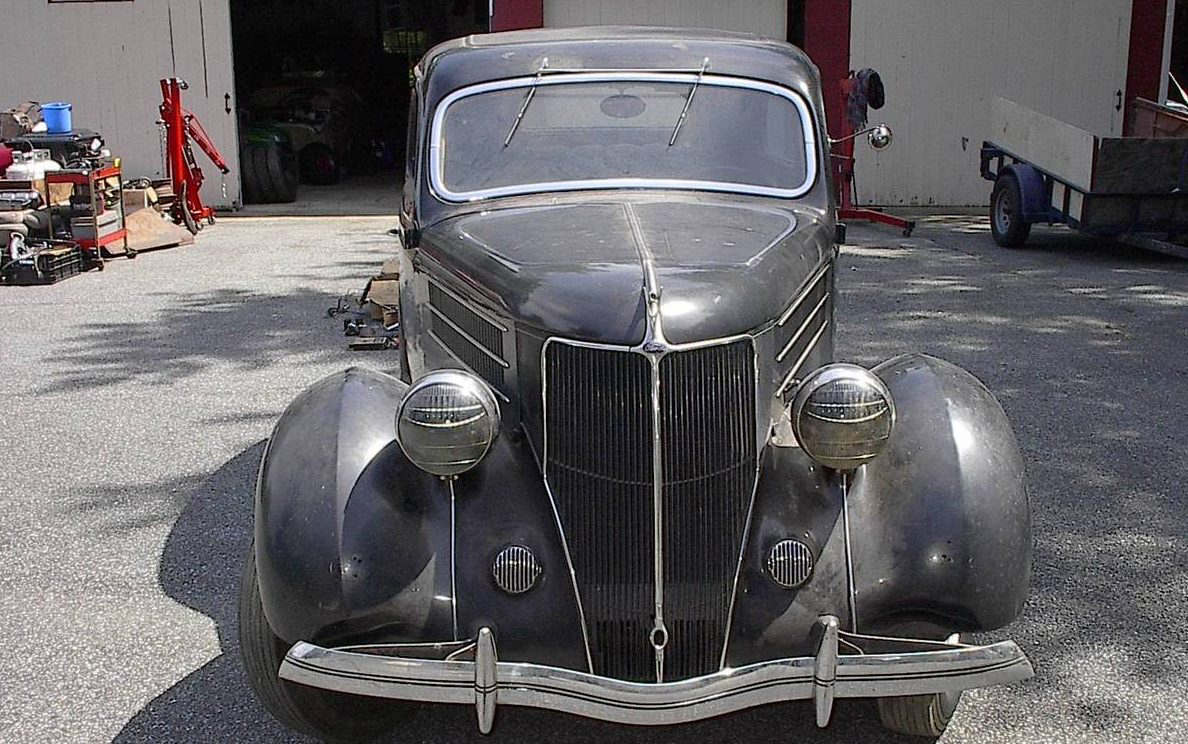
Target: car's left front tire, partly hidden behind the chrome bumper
(320,714)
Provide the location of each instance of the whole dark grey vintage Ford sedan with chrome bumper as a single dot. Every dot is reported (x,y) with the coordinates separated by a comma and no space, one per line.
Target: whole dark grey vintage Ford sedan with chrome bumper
(623,476)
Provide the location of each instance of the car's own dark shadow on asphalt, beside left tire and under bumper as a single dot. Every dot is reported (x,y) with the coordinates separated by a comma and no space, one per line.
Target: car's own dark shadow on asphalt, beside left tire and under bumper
(200,569)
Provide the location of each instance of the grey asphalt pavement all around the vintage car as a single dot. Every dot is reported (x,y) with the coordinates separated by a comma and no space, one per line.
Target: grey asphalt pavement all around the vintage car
(136,402)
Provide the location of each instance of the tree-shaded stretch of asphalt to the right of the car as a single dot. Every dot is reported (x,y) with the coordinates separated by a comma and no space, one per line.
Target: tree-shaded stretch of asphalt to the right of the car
(1091,370)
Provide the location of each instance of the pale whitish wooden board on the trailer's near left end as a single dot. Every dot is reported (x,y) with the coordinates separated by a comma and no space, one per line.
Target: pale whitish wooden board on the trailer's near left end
(1050,144)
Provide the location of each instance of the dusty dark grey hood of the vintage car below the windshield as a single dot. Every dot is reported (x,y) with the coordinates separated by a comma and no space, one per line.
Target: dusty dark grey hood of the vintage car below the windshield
(578,270)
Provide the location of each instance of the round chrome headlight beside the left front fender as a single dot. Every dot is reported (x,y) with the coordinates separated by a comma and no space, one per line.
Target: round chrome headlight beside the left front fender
(447,423)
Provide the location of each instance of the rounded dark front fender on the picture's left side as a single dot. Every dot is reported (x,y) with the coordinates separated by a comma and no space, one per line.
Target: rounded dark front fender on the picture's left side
(333,481)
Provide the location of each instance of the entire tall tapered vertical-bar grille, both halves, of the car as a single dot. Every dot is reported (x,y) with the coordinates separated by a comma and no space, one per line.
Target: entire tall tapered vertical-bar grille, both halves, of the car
(599,465)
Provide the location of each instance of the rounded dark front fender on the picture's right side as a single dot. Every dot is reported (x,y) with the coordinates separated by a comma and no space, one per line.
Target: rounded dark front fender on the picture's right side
(940,524)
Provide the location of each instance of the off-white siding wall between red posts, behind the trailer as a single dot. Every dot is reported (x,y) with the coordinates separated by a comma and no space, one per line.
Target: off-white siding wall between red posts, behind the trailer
(945,62)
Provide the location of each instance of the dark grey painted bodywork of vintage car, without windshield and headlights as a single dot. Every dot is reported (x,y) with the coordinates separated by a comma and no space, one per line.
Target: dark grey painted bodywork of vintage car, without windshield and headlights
(356,545)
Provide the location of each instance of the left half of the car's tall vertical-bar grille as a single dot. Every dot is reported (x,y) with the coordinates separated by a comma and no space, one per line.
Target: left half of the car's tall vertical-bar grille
(599,464)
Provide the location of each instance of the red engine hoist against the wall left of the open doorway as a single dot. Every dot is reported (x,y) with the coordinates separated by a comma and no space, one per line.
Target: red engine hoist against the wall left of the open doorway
(181,129)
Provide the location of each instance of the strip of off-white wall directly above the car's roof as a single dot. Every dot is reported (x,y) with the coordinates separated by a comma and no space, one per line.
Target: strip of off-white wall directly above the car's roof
(763,17)
